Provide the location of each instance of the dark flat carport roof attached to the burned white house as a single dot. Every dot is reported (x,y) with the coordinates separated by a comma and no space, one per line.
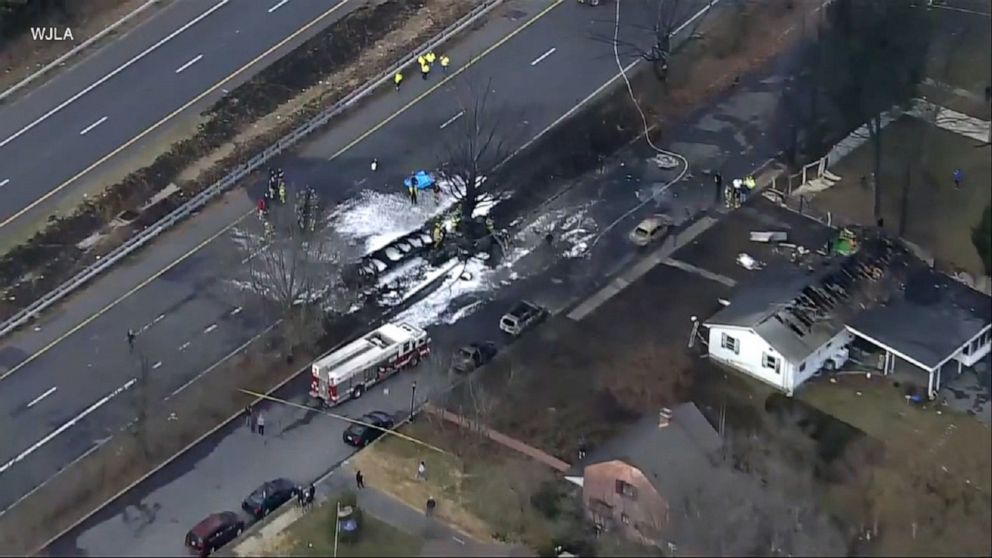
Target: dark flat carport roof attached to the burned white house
(931,317)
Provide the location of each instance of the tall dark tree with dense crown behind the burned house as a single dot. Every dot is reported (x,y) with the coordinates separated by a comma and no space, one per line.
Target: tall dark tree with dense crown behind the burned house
(873,57)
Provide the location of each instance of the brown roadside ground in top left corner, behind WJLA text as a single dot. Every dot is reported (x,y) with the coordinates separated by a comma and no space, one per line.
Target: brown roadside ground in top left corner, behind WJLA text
(21,56)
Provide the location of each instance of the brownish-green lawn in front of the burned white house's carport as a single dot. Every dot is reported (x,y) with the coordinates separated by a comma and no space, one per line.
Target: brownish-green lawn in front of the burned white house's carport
(931,492)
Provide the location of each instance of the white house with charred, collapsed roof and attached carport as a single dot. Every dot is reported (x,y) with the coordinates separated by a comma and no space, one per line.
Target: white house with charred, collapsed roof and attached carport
(791,321)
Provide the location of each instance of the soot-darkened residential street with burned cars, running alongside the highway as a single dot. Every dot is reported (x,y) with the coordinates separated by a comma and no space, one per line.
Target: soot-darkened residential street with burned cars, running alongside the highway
(730,135)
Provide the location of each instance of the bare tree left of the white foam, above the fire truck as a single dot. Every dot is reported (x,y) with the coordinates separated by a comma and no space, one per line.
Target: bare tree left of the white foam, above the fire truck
(294,268)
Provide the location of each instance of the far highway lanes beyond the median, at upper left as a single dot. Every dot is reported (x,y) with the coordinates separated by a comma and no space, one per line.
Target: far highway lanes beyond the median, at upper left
(84,117)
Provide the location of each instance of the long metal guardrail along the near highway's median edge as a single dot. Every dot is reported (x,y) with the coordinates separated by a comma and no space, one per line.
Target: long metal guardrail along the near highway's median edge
(198,201)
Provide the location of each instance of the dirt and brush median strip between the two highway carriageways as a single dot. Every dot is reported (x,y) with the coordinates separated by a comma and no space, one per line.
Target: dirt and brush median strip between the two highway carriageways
(363,44)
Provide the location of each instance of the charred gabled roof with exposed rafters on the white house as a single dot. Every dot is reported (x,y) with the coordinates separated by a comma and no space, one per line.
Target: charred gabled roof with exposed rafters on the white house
(797,309)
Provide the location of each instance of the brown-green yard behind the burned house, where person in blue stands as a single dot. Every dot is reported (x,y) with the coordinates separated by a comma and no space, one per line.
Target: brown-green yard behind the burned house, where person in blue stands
(939,217)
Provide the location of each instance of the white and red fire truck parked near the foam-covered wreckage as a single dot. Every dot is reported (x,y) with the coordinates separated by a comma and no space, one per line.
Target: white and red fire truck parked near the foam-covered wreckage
(351,370)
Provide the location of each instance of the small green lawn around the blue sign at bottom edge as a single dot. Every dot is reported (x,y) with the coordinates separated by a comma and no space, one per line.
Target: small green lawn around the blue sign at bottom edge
(313,535)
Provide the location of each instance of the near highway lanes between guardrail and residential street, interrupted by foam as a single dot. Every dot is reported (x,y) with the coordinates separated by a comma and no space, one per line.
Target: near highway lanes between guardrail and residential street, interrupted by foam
(70,383)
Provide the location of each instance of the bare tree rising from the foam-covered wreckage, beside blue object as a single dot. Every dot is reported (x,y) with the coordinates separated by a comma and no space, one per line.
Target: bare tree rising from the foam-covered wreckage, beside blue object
(472,149)
